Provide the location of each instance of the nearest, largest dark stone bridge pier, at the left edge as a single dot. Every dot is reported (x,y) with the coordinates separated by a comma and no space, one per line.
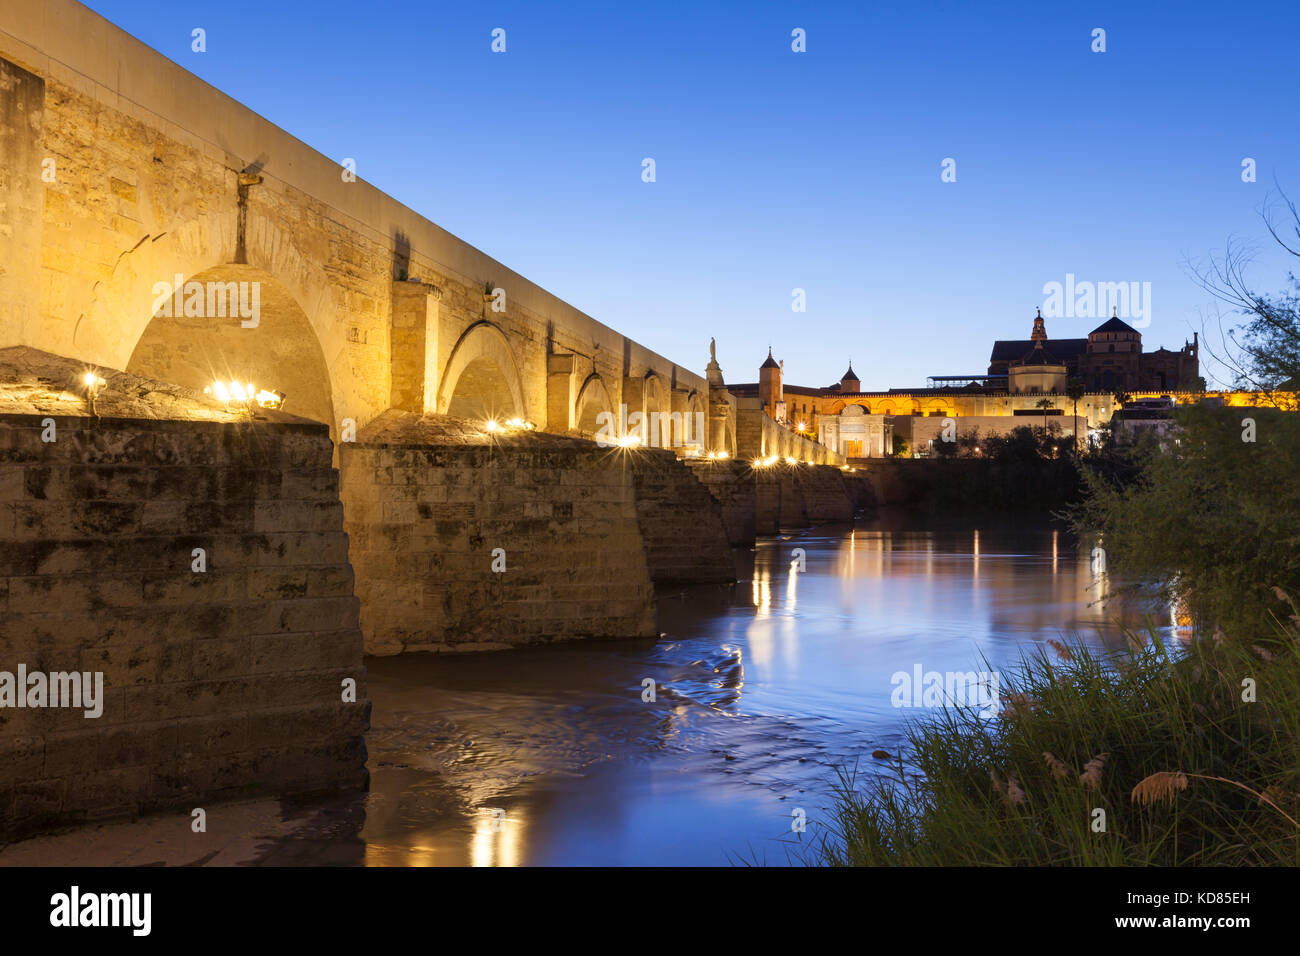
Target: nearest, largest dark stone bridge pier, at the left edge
(216,685)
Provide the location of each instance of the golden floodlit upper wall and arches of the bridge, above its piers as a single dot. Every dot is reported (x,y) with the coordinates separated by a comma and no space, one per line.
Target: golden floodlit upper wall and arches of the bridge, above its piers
(127,175)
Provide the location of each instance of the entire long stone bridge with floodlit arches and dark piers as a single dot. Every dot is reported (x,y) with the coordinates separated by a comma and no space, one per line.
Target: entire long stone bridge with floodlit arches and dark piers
(223,569)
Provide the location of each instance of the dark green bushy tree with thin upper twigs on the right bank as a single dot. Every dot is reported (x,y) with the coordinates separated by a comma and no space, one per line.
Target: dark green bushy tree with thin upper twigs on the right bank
(1215,518)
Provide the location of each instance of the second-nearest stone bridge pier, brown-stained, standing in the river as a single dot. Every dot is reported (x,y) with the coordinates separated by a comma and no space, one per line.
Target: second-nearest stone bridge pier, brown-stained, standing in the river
(431,499)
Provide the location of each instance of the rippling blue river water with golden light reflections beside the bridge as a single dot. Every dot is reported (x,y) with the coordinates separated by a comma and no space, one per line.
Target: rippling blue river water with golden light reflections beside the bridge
(552,756)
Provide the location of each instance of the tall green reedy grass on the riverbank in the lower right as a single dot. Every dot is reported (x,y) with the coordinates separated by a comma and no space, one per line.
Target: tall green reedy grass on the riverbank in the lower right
(1185,771)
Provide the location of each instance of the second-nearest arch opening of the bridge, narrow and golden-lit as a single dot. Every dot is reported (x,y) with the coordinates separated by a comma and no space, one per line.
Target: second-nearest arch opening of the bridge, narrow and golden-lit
(482,379)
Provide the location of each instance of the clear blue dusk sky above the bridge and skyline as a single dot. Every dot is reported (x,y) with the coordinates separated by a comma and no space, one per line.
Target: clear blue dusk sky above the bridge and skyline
(779,171)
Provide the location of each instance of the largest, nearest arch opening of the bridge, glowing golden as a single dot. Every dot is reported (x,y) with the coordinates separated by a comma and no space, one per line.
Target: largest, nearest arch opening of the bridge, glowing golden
(205,336)
